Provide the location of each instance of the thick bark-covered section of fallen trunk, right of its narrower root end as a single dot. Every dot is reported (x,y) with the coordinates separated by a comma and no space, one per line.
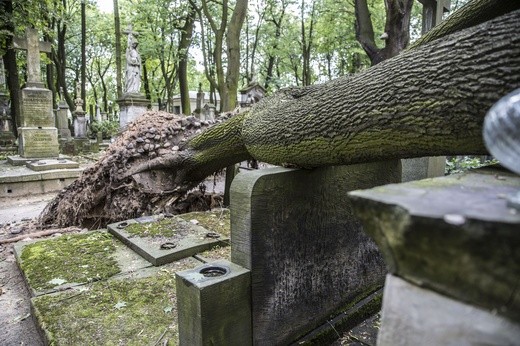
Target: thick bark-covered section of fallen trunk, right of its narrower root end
(427,101)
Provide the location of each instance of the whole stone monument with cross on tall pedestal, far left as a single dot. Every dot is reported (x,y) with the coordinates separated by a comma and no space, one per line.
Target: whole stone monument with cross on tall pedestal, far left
(37,133)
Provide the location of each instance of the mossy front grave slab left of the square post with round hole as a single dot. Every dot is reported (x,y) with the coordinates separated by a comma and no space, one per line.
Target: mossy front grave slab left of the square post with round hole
(114,312)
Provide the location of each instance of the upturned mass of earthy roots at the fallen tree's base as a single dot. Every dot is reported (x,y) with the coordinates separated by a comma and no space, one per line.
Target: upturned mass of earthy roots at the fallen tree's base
(113,190)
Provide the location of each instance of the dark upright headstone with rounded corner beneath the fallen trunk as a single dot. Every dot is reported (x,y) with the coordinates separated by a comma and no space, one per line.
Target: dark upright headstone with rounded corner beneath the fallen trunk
(308,255)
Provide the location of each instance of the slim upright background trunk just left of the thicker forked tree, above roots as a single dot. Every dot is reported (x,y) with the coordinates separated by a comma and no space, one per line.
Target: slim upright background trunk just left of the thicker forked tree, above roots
(184,46)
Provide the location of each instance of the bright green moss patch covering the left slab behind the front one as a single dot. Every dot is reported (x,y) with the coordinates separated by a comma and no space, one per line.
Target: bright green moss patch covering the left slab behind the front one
(72,258)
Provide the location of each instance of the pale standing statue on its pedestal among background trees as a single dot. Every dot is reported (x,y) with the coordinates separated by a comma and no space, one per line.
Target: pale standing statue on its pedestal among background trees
(132,104)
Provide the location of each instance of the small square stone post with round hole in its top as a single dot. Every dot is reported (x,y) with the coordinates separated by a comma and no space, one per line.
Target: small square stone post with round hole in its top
(214,305)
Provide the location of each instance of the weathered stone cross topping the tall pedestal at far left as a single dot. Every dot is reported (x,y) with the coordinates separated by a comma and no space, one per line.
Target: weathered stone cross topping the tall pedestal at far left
(33,47)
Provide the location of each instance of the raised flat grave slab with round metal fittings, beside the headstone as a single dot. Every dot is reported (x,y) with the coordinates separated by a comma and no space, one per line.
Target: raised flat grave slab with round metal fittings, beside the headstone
(162,240)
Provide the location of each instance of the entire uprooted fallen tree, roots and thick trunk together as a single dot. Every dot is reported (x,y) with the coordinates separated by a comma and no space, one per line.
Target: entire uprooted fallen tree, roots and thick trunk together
(429,100)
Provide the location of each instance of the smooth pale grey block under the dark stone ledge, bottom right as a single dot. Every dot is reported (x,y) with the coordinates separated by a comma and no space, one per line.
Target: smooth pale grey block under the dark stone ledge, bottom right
(414,315)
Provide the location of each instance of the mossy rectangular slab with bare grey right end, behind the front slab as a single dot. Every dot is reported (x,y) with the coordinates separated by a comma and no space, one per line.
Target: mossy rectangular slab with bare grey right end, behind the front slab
(71,260)
